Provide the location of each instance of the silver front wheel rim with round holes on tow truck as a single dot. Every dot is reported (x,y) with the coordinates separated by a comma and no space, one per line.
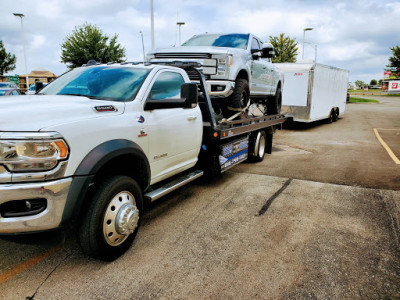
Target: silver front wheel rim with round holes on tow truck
(121,218)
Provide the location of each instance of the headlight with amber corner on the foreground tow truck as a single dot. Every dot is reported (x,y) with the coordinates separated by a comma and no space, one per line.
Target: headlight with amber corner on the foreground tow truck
(32,155)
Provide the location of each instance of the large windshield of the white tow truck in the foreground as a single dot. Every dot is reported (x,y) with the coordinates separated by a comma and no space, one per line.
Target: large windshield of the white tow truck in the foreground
(99,82)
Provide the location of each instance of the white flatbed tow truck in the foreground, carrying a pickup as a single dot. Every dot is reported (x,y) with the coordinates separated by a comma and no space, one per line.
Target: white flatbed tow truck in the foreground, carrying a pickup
(101,141)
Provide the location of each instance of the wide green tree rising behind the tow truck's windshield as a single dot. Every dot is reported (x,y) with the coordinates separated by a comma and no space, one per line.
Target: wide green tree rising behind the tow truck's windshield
(88,42)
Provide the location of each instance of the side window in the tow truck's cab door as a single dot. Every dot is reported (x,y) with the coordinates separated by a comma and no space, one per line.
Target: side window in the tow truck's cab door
(167,86)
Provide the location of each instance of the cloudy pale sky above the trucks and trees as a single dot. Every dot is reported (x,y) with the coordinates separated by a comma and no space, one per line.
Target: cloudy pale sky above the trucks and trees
(355,35)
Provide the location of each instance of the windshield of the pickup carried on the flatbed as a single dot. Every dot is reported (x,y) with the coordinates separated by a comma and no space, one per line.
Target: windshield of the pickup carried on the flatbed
(219,40)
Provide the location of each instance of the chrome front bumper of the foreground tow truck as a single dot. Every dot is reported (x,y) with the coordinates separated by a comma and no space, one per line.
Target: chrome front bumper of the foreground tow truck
(55,192)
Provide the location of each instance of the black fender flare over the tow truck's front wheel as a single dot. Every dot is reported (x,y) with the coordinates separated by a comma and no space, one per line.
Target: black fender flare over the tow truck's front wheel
(92,163)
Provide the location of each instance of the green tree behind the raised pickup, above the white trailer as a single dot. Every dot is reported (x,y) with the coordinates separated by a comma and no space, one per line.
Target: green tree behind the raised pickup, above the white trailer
(285,48)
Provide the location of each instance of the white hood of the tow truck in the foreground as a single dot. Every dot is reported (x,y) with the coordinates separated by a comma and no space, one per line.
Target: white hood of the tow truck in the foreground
(36,112)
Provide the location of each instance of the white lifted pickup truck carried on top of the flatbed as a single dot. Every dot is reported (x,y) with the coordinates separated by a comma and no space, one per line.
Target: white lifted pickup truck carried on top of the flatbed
(244,69)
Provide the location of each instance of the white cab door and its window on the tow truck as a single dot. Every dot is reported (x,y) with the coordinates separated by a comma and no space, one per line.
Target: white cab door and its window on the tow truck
(174,134)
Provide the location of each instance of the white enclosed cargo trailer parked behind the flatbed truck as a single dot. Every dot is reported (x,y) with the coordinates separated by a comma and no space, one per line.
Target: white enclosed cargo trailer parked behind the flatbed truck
(313,91)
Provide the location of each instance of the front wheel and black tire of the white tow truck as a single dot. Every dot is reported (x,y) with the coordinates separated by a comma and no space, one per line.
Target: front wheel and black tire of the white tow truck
(112,220)
